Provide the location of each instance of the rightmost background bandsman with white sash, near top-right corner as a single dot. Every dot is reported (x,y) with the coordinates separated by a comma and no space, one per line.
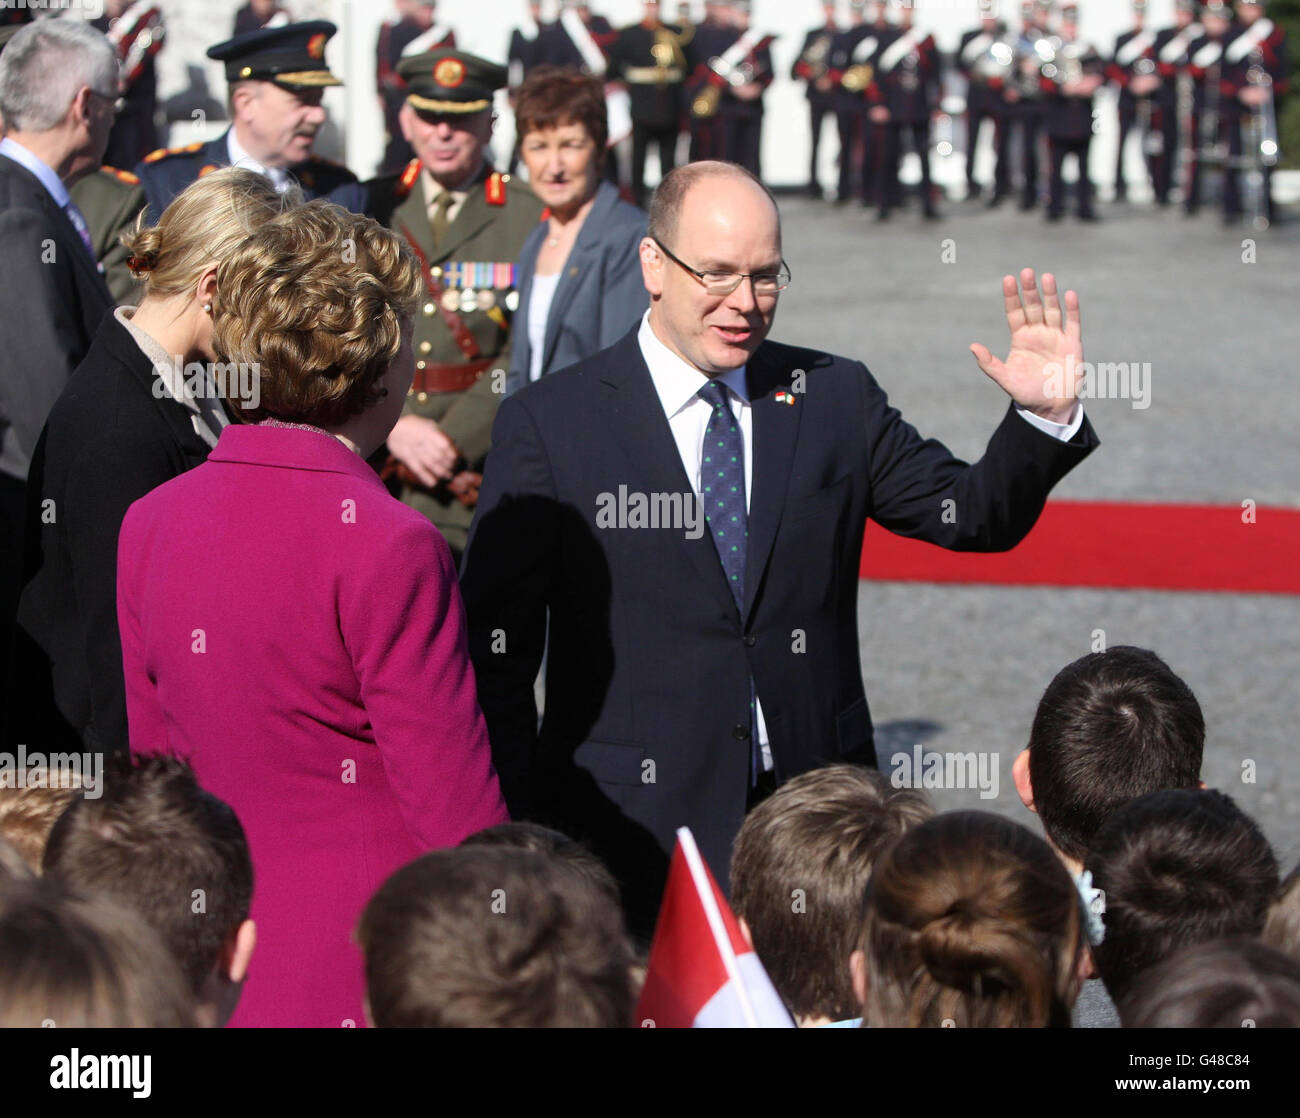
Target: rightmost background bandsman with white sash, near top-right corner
(1255,76)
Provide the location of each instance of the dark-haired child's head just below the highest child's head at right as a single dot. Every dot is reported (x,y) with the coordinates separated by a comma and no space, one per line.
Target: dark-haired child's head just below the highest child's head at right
(1177,868)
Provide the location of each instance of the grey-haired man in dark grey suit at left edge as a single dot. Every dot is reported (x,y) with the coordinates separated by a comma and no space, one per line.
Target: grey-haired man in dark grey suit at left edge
(59,89)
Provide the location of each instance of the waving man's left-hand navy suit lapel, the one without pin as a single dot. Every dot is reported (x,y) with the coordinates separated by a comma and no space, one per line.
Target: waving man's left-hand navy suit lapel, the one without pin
(639,427)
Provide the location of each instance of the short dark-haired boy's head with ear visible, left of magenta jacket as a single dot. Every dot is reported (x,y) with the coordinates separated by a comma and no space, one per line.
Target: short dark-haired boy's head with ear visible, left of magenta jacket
(159,844)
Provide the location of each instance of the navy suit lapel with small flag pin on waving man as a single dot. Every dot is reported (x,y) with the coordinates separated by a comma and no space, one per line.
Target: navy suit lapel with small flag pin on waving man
(777,428)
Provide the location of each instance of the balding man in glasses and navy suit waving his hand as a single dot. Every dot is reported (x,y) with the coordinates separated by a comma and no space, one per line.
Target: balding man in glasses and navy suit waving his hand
(695,662)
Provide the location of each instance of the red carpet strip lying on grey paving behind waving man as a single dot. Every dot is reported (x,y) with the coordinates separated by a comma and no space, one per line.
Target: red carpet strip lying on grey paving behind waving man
(1099,544)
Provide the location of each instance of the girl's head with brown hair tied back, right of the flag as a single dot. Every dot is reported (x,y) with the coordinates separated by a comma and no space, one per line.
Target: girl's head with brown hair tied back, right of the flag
(972,920)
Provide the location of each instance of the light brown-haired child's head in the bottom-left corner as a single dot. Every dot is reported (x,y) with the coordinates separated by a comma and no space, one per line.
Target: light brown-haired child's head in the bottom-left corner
(76,963)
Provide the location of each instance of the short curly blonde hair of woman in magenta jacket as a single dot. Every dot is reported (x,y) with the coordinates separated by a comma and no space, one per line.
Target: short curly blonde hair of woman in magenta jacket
(318,300)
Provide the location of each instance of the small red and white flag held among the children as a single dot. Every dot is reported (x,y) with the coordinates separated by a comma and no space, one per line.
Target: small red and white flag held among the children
(703,974)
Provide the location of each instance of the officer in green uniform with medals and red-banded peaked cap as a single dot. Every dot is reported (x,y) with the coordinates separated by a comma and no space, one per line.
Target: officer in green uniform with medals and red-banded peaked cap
(466,224)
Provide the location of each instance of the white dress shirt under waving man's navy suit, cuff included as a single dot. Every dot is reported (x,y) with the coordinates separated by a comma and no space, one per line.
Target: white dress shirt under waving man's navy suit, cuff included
(678,385)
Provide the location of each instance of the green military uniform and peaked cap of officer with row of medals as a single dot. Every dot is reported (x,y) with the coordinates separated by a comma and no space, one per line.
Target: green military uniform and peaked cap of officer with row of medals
(471,271)
